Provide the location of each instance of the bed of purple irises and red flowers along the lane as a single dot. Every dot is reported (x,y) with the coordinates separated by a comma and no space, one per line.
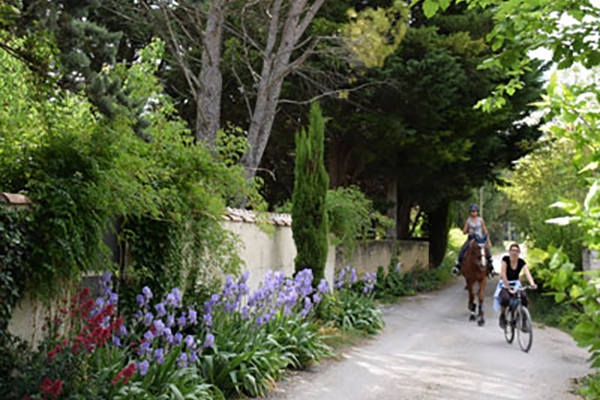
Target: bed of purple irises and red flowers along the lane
(236,343)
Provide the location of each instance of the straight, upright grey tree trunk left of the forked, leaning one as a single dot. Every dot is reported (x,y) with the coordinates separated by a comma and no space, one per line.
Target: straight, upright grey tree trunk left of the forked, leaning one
(208,106)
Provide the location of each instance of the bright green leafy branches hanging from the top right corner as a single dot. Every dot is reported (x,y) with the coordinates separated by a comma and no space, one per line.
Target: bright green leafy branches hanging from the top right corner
(521,26)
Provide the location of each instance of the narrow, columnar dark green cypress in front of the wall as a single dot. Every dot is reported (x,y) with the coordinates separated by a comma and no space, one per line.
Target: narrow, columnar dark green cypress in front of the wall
(309,213)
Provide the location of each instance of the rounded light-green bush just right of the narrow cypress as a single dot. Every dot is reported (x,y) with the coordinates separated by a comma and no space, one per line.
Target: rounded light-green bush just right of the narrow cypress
(352,217)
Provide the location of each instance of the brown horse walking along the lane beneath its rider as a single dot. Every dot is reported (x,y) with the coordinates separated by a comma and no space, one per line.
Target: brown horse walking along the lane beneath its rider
(474,270)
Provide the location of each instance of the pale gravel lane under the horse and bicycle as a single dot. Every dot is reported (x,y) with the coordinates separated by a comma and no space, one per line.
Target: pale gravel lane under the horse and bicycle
(429,350)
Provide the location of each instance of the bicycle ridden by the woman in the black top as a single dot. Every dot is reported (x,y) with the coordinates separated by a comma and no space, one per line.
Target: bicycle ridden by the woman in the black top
(518,319)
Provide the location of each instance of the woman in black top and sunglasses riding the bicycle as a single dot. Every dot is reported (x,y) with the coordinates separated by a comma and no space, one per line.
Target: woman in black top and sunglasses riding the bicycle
(512,266)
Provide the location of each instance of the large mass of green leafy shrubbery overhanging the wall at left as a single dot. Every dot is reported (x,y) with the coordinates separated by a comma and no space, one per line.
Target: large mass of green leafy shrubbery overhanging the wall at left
(84,172)
